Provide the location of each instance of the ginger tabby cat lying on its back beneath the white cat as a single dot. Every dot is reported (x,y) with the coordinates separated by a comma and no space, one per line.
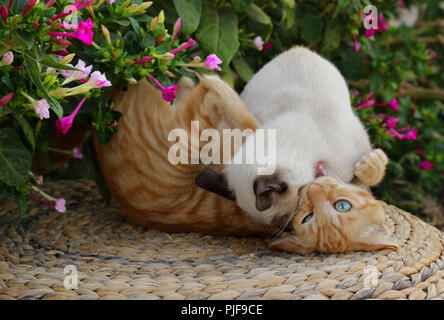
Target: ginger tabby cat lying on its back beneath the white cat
(152,192)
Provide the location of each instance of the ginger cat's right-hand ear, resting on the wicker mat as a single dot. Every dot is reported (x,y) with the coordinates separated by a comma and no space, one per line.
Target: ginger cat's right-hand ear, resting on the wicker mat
(375,237)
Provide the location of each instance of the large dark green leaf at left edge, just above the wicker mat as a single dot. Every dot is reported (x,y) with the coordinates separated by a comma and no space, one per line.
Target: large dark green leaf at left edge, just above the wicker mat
(15,159)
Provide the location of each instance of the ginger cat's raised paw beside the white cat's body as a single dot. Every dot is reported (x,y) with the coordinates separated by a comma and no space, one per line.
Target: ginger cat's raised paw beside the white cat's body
(371,168)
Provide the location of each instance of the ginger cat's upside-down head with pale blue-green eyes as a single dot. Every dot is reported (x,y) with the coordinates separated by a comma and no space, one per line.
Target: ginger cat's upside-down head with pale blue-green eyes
(336,217)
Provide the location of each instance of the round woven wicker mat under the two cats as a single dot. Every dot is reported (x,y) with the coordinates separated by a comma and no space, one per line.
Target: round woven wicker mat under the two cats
(117,260)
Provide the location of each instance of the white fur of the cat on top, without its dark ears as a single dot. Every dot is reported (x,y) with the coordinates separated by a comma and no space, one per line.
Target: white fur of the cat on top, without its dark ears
(306,99)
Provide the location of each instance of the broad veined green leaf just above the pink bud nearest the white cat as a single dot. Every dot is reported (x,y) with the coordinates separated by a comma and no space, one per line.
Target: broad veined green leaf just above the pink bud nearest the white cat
(218,32)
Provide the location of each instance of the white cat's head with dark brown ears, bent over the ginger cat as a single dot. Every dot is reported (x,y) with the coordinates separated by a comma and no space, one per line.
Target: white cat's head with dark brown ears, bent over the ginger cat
(267,193)
